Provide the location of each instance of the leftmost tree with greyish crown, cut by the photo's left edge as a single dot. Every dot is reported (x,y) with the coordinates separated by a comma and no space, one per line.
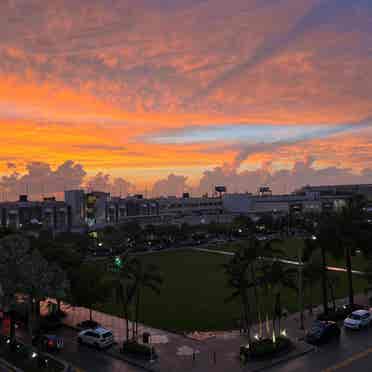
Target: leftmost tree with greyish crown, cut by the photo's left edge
(14,253)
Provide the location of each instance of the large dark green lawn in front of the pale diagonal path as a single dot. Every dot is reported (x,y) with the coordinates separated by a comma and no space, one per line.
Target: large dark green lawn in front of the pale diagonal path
(194,290)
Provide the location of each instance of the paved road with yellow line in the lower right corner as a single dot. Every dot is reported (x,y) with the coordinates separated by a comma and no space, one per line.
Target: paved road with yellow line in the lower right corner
(352,353)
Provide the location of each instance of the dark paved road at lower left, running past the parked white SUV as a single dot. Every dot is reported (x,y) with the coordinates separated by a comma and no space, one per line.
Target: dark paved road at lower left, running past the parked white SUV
(88,358)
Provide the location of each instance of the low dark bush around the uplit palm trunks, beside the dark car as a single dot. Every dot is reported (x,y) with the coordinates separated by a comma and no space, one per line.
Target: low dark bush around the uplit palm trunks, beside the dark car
(266,348)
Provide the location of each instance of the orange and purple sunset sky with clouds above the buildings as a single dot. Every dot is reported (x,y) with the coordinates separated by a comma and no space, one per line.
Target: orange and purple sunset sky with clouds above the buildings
(175,95)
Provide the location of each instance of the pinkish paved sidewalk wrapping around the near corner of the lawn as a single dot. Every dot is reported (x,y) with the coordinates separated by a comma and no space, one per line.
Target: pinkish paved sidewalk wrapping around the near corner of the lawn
(210,351)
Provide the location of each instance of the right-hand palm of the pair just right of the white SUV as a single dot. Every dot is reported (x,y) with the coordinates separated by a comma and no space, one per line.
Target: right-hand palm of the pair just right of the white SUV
(144,276)
